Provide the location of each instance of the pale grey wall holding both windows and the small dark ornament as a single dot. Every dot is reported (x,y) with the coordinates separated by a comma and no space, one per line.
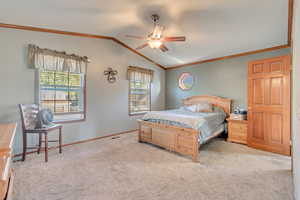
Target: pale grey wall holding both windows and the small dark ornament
(107,104)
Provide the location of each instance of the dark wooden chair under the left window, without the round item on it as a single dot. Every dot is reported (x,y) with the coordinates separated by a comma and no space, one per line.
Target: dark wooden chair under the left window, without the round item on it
(28,117)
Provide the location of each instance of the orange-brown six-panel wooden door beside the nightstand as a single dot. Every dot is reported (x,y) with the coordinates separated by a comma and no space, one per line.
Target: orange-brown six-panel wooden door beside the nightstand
(269,105)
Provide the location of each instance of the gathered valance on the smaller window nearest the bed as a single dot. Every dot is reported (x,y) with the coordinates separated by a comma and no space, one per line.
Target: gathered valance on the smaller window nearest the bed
(142,74)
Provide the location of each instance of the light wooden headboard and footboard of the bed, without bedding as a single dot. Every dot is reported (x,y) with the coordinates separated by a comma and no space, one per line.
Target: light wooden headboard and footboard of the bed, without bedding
(173,138)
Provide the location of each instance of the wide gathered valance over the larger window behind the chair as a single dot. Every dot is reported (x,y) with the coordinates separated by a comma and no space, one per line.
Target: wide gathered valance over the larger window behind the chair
(52,60)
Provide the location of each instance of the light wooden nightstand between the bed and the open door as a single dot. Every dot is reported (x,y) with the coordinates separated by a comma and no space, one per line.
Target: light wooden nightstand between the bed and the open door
(237,131)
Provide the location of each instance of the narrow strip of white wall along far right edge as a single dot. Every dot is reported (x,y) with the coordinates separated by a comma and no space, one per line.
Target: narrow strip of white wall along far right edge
(296,98)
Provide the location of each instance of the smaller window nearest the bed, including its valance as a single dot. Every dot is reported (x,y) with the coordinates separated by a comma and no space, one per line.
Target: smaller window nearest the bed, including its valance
(139,90)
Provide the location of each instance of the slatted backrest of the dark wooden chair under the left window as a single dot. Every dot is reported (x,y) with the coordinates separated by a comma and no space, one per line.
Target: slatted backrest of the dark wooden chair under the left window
(28,115)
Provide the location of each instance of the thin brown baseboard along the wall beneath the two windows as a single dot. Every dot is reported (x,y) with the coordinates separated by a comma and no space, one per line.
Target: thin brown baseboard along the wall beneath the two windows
(79,142)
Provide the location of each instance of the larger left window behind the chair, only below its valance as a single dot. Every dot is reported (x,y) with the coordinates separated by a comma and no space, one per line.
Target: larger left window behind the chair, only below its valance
(63,93)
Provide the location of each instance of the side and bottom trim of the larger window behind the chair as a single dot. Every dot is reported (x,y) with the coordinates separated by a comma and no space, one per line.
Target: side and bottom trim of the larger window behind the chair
(38,100)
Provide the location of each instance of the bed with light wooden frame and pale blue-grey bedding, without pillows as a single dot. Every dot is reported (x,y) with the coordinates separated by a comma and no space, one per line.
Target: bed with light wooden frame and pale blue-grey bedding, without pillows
(183,131)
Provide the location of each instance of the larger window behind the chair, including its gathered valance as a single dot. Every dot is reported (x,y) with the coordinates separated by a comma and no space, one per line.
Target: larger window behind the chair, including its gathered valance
(61,82)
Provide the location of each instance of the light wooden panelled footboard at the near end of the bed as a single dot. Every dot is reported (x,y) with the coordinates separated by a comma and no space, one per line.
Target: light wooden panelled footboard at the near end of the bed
(176,139)
